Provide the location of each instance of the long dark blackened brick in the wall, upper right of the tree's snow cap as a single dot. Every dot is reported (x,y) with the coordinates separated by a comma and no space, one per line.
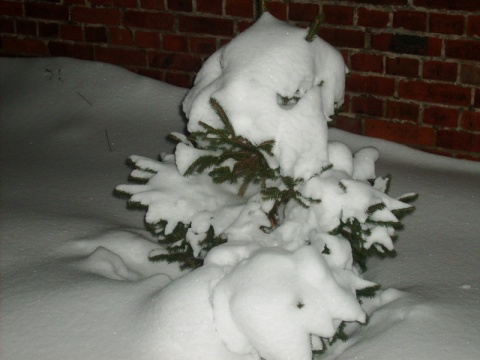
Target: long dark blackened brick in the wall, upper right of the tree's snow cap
(407,44)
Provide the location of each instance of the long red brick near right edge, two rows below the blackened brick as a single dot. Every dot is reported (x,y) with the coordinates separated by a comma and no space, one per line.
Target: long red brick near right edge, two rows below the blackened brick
(439,93)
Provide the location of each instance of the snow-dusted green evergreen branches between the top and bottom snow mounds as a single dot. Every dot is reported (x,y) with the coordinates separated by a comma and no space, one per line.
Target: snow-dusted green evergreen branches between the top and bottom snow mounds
(220,180)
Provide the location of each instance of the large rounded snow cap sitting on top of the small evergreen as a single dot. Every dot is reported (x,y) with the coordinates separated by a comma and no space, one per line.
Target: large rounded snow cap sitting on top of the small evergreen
(250,75)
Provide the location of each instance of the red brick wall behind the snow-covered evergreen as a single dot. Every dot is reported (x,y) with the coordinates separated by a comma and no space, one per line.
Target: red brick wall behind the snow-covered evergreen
(415,64)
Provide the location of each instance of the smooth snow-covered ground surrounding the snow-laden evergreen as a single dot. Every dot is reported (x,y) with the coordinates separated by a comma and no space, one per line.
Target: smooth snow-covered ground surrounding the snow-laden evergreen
(76,282)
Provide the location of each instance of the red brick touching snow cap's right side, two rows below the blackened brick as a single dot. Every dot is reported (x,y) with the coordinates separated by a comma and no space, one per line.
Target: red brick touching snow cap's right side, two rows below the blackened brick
(370,85)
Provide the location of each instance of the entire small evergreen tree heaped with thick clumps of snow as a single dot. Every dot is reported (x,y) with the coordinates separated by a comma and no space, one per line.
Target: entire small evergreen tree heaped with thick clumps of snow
(279,220)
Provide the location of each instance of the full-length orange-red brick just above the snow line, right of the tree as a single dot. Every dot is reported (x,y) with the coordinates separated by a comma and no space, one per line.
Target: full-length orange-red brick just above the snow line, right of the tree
(409,134)
